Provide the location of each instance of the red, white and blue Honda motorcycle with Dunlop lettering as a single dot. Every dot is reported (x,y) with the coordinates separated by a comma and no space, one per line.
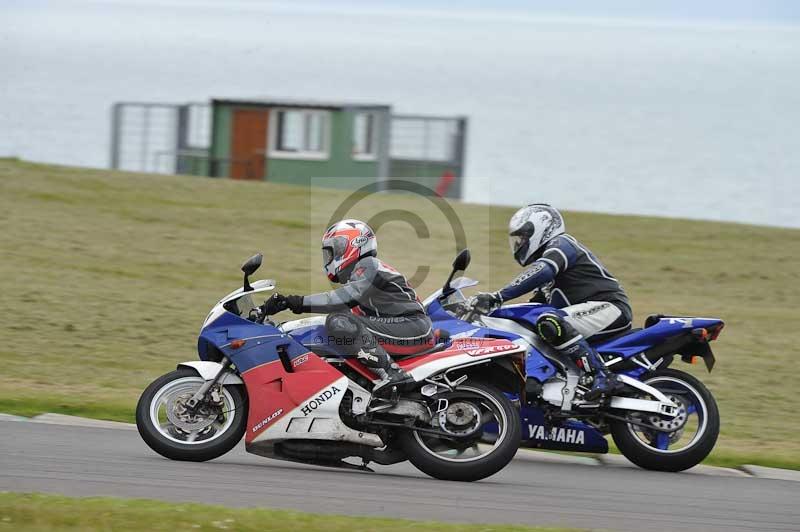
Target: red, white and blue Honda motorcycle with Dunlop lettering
(294,398)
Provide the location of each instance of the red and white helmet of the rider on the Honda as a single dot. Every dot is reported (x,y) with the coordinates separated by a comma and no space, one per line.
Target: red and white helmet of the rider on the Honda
(343,244)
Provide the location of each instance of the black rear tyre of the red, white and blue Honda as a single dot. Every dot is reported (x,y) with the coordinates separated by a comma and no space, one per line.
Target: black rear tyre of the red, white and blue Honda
(506,443)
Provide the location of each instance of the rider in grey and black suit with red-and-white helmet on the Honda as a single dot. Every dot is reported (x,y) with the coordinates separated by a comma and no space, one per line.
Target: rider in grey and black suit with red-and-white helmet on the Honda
(375,312)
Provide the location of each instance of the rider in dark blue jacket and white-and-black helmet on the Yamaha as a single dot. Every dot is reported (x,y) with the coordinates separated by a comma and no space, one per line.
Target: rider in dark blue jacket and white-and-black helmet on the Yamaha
(564,274)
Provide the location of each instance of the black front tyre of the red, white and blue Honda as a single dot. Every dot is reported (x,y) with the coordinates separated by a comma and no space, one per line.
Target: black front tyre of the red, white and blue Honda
(166,443)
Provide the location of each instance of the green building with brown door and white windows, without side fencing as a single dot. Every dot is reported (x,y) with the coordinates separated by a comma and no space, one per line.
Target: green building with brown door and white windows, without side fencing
(286,141)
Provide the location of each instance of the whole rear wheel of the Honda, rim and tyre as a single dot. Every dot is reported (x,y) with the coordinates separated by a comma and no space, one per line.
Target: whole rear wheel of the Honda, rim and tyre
(442,459)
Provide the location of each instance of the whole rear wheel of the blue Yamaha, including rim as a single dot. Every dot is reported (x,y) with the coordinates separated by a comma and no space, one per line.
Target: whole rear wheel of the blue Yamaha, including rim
(651,449)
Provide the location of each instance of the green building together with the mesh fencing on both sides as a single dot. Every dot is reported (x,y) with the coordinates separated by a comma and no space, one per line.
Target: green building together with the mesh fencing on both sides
(336,144)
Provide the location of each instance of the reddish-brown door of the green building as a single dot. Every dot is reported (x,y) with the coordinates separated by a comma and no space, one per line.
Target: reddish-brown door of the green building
(249,144)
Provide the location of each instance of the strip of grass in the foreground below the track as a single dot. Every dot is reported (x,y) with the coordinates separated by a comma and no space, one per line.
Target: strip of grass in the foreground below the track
(28,512)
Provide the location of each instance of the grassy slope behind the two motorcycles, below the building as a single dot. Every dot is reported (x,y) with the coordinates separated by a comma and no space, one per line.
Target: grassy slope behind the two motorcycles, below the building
(106,277)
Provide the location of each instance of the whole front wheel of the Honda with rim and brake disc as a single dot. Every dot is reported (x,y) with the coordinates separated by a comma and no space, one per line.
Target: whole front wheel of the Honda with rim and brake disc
(169,430)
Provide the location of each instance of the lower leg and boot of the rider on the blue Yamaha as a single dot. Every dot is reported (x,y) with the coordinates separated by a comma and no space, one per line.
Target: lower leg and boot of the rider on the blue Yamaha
(560,334)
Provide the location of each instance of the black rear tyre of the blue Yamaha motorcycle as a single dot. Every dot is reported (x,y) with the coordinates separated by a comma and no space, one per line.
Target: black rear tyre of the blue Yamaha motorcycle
(645,454)
